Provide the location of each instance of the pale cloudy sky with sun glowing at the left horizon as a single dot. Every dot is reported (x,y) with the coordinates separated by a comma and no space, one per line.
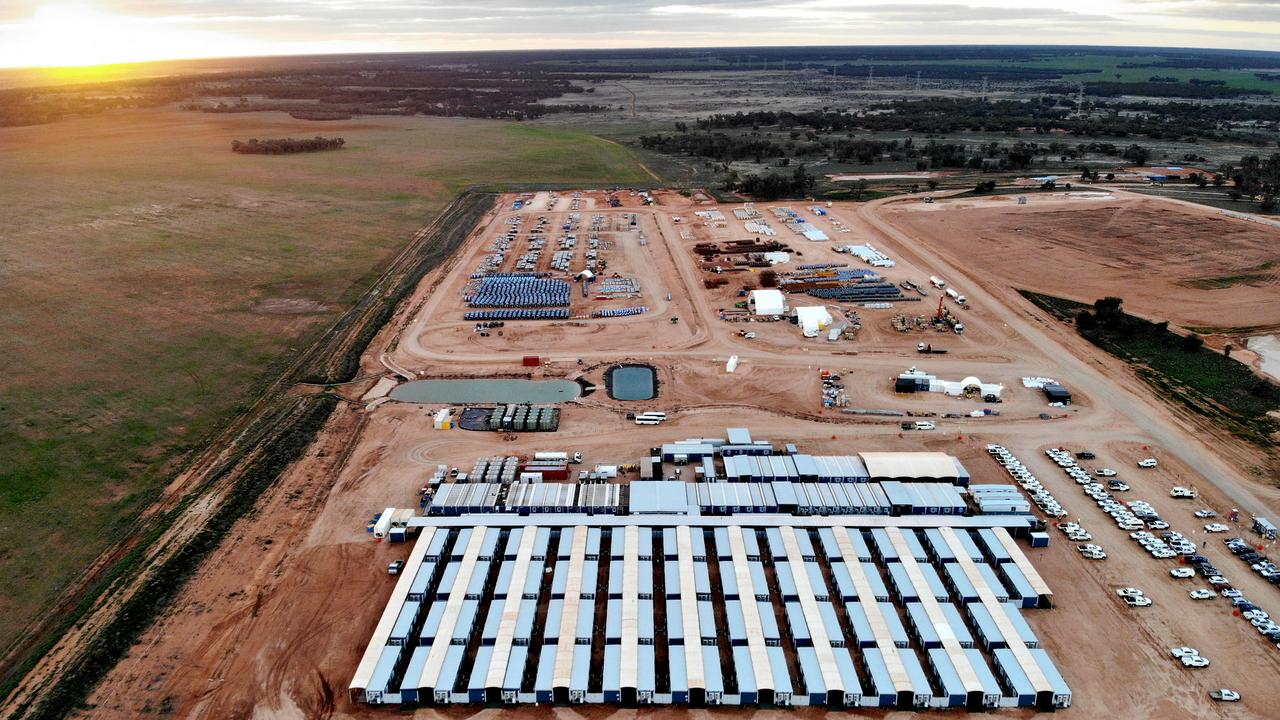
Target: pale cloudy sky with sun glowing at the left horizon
(85,33)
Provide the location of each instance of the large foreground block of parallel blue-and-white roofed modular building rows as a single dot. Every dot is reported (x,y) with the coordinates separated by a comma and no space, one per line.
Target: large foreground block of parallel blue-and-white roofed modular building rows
(761,610)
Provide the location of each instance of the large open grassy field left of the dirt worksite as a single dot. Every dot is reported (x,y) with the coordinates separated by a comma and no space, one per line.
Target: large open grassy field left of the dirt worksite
(152,280)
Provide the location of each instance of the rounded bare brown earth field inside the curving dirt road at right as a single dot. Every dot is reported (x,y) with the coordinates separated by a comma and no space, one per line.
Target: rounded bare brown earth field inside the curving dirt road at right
(1156,256)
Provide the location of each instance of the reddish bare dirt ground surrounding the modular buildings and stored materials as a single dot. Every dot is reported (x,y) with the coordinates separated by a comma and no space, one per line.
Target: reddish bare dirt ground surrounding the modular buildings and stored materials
(276,623)
